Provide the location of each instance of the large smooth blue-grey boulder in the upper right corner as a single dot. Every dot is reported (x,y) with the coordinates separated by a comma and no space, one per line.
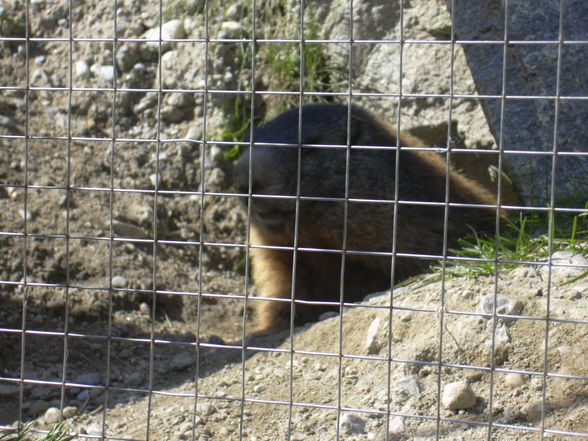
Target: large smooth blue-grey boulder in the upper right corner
(538,124)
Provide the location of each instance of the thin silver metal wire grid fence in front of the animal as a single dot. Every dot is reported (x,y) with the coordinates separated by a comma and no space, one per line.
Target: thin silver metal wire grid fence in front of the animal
(197,345)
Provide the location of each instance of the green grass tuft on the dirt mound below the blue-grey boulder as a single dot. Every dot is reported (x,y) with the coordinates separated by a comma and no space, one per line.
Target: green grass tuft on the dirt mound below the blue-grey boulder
(525,239)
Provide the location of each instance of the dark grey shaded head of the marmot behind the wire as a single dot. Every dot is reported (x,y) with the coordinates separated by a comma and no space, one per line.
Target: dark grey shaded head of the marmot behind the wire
(273,162)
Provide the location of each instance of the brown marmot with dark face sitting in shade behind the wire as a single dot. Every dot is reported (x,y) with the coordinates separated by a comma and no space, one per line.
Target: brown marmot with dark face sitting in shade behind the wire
(371,177)
